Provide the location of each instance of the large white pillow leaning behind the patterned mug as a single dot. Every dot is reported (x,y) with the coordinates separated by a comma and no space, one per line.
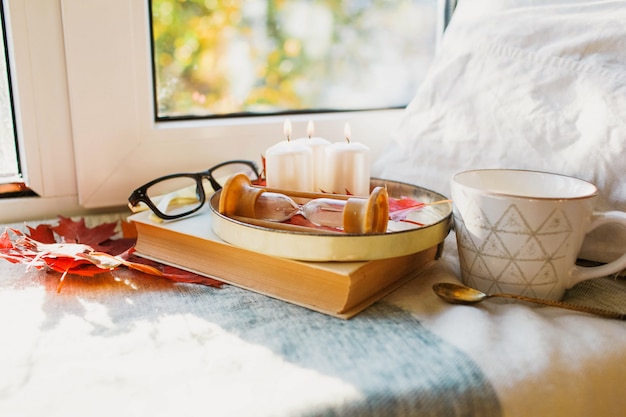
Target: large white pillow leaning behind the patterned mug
(526,85)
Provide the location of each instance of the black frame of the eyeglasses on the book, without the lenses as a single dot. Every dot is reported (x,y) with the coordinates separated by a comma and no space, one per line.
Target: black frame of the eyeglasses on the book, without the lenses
(140,195)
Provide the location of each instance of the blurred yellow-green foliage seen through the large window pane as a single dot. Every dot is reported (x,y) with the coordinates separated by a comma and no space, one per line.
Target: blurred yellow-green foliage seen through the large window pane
(219,58)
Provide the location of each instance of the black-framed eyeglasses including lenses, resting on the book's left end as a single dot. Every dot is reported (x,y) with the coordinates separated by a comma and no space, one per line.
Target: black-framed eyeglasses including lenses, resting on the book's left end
(178,195)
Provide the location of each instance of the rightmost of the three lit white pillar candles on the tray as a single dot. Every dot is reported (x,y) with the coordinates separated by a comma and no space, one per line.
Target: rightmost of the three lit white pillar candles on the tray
(347,167)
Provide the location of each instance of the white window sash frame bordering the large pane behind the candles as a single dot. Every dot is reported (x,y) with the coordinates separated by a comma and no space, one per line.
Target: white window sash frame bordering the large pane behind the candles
(135,136)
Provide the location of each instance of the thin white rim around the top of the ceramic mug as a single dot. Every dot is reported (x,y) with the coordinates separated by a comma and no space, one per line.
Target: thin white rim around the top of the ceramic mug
(592,193)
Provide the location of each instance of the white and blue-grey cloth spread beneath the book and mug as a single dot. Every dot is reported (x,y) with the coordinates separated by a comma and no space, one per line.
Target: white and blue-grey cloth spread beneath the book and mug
(130,344)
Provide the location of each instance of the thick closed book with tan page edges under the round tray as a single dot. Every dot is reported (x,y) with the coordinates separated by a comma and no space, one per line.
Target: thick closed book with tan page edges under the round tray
(341,289)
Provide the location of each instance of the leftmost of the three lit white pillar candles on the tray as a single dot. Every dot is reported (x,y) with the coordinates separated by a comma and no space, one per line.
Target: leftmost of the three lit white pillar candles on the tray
(289,164)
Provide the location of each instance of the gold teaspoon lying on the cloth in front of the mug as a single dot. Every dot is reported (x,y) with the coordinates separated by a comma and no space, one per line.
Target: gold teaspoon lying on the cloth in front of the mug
(459,294)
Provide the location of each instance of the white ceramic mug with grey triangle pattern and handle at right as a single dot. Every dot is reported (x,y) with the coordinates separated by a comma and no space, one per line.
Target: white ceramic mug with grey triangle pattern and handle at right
(520,231)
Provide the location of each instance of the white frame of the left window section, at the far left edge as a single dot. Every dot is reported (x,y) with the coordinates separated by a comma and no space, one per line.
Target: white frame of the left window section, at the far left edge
(38,77)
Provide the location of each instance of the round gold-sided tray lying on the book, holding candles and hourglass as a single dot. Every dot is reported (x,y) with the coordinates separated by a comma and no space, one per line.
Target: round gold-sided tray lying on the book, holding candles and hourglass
(402,238)
